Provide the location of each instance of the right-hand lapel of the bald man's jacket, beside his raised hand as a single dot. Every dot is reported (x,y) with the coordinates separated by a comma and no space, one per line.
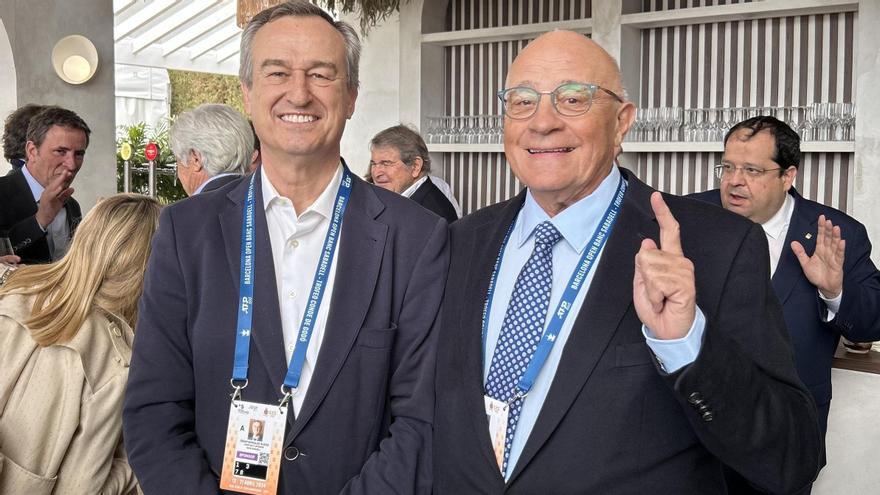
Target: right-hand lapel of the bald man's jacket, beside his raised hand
(607,301)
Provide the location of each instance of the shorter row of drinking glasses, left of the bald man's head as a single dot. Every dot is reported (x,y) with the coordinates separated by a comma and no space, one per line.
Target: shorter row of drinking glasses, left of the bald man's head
(465,129)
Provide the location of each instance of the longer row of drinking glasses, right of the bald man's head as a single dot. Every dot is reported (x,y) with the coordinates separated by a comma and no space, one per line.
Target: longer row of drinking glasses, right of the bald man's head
(815,122)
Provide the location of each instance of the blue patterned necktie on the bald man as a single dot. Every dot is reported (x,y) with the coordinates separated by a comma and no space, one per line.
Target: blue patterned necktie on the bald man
(522,327)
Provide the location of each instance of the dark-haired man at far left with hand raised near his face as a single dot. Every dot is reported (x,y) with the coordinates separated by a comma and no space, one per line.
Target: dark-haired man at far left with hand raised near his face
(37,209)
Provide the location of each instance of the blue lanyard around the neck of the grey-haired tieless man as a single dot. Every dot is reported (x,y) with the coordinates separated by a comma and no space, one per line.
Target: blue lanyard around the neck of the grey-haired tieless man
(246,289)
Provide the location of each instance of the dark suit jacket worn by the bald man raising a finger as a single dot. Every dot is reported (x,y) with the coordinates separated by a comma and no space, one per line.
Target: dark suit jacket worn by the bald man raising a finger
(613,422)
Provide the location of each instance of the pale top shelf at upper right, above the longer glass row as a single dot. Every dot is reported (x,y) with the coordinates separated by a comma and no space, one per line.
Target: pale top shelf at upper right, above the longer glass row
(737,12)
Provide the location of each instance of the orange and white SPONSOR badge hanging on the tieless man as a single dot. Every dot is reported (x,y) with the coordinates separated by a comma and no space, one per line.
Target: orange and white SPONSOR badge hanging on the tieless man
(252,457)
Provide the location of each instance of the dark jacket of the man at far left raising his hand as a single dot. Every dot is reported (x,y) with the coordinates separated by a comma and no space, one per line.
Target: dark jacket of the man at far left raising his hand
(18,218)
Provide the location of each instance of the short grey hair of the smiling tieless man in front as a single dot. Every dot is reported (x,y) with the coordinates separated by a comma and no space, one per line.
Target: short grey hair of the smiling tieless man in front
(298,9)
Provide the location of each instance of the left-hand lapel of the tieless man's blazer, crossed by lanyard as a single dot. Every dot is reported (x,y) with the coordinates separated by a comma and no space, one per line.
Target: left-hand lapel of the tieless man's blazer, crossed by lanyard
(266,336)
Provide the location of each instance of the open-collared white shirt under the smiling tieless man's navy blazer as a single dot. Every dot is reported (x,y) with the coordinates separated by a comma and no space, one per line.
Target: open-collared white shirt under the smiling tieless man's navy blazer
(297,242)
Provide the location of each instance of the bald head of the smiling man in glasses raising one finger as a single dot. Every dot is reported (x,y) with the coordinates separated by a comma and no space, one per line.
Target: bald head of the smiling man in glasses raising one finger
(563,156)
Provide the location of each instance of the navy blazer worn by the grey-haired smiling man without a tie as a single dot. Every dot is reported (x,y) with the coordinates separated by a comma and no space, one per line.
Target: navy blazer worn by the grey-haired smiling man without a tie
(366,420)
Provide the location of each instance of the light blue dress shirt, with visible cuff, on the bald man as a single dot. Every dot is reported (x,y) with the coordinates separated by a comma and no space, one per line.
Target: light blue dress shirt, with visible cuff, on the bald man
(576,224)
